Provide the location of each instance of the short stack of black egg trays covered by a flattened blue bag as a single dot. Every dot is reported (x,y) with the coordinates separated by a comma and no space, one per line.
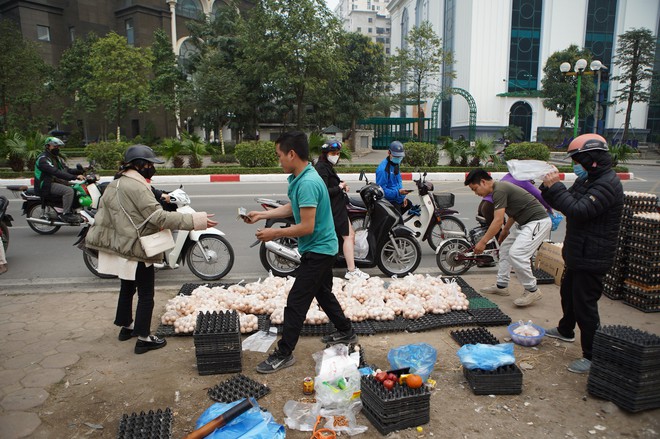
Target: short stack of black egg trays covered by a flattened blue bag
(505,380)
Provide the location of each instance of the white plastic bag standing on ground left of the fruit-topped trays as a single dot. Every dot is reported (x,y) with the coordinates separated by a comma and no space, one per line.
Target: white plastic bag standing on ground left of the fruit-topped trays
(337,380)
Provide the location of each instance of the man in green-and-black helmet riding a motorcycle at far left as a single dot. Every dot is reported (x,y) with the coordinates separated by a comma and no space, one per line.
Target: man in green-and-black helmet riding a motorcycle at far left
(51,177)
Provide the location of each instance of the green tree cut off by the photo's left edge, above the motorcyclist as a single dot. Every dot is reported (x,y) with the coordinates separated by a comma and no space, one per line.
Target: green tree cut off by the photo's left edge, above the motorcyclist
(23,74)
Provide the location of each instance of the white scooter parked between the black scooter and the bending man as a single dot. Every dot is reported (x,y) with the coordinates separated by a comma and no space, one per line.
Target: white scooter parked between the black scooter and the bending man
(433,220)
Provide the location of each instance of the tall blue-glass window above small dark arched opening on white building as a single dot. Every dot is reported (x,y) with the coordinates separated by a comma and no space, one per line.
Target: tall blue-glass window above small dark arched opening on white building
(525,44)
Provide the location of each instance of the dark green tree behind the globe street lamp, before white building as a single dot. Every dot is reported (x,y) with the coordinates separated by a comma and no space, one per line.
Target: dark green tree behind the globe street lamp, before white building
(560,91)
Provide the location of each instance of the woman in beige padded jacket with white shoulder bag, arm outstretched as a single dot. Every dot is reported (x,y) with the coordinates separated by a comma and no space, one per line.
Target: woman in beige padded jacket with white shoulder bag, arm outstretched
(128,202)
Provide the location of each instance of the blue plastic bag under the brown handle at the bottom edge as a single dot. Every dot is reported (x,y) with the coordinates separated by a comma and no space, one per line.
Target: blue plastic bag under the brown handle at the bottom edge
(253,424)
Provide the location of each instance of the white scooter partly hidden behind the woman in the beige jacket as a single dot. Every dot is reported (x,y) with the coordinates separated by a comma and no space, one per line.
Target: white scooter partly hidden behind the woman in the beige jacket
(207,252)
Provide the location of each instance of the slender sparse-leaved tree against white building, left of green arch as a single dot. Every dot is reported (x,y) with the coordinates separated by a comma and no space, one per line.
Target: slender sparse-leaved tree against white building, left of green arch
(419,63)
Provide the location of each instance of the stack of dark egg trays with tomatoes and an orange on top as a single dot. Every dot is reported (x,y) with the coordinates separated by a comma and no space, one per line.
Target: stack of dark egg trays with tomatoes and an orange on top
(396,409)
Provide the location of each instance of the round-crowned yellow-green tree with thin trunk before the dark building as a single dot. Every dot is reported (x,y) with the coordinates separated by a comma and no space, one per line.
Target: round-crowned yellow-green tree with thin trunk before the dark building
(119,74)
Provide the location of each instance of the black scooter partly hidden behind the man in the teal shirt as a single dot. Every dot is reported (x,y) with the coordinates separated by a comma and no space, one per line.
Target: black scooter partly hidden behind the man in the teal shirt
(391,245)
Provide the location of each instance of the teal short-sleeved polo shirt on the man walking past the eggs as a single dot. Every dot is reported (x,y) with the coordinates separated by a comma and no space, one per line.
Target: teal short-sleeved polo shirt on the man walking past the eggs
(309,190)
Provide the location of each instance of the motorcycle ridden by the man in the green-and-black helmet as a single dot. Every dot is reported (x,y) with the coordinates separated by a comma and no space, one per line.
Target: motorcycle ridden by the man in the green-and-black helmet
(43,214)
